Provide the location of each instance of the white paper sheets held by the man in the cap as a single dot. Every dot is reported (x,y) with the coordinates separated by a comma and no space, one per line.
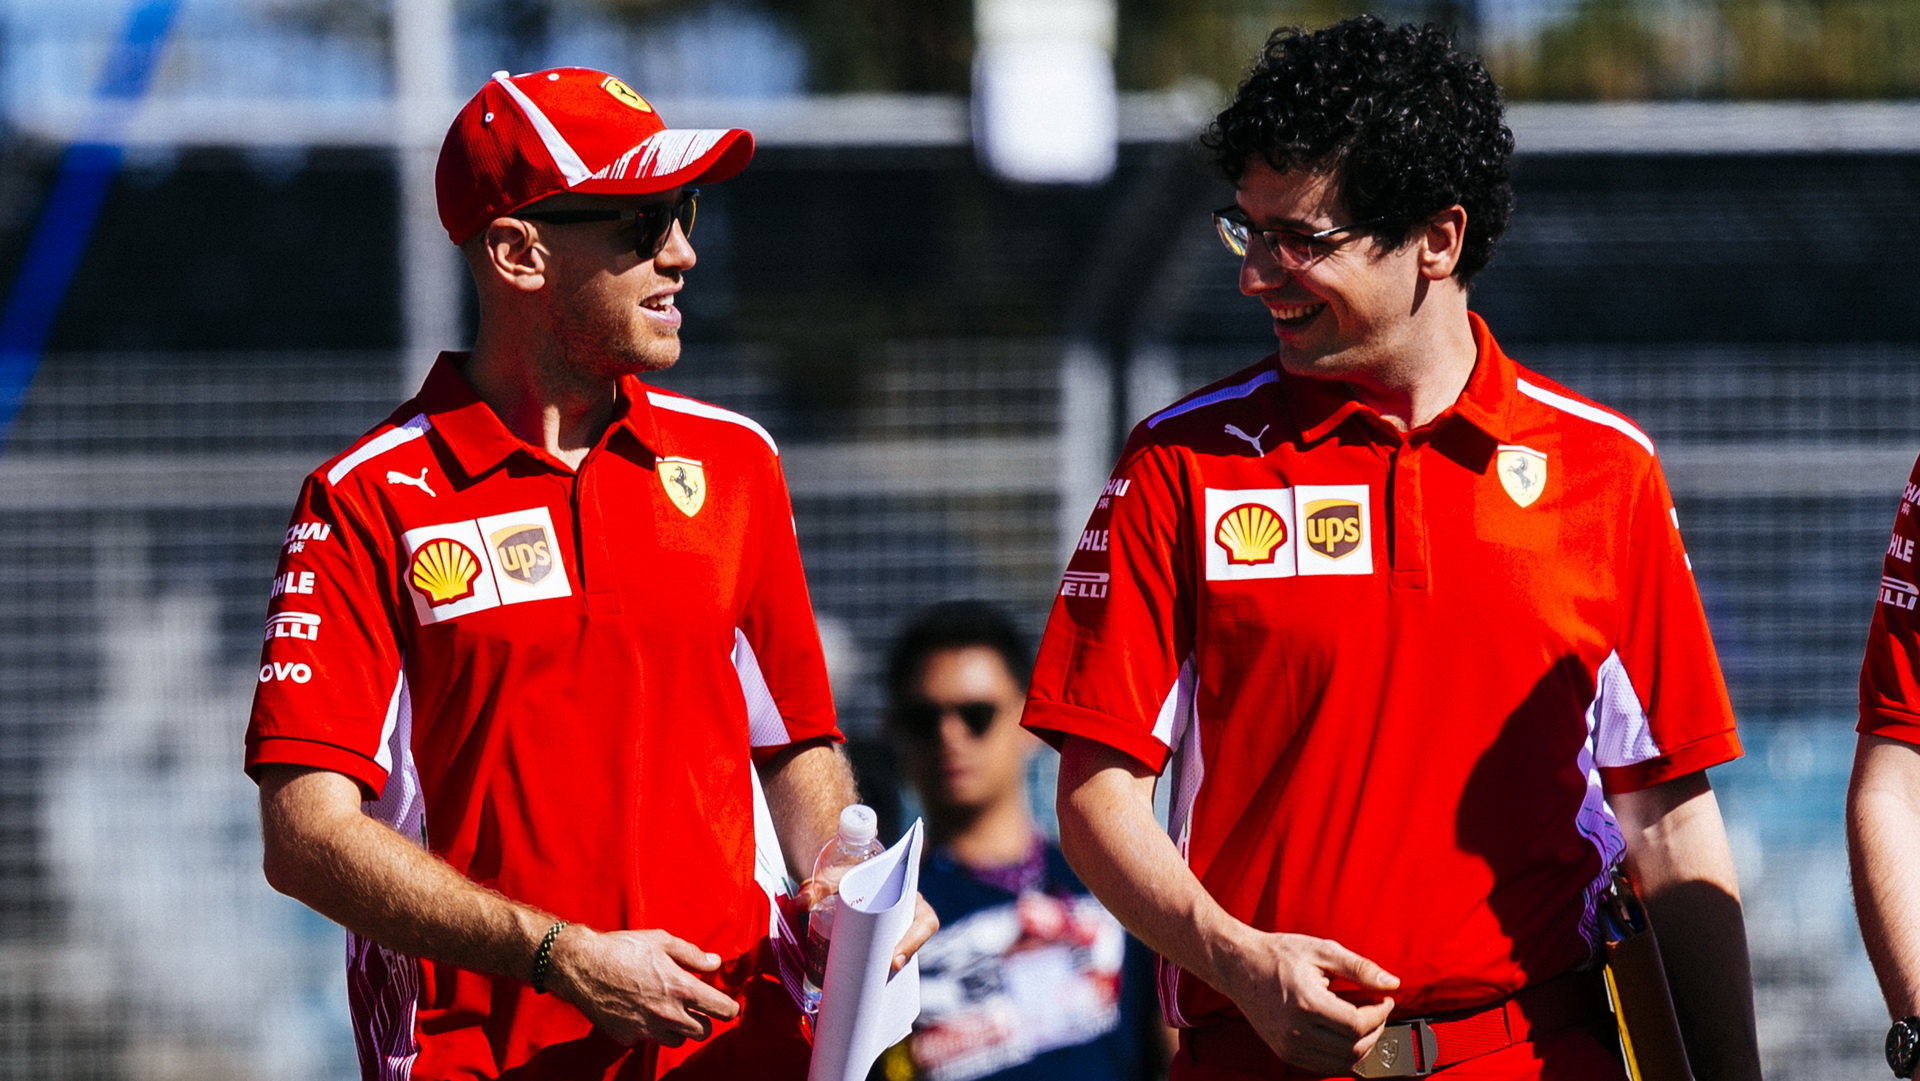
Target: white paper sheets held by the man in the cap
(863,1007)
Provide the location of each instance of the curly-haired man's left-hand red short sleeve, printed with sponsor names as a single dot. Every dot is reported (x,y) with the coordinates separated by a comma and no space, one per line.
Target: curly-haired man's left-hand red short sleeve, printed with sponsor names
(1120,631)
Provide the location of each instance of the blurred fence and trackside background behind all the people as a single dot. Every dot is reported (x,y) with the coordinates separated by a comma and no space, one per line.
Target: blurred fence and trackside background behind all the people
(1717,208)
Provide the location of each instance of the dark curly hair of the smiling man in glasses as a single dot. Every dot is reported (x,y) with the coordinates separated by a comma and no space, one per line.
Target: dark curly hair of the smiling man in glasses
(1406,122)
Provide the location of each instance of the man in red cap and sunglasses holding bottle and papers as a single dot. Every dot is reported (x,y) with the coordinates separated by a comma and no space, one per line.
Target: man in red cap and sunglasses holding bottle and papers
(540,640)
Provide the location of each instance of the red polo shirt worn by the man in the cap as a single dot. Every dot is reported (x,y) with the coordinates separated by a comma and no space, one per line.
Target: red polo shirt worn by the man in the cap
(556,681)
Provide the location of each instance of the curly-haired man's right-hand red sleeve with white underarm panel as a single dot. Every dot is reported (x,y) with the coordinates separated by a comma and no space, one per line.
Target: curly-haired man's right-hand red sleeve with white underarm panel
(1662,708)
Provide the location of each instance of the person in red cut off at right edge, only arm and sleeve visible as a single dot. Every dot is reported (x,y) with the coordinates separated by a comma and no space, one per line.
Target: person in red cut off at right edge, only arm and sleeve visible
(1884,798)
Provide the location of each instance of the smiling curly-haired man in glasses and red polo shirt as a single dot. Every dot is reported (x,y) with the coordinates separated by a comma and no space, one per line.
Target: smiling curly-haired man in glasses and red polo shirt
(1410,629)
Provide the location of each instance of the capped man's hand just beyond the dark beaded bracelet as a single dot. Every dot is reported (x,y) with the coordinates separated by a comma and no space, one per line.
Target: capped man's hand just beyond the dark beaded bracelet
(638,986)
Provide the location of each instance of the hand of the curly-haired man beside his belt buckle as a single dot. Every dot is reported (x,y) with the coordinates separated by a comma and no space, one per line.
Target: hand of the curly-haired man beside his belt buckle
(1284,986)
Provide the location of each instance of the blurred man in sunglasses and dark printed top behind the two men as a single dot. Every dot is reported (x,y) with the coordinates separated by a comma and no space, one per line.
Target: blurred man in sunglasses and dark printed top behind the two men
(1030,978)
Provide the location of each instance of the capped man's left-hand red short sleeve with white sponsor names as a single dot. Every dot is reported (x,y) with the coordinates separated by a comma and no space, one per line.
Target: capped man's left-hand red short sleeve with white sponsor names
(329,690)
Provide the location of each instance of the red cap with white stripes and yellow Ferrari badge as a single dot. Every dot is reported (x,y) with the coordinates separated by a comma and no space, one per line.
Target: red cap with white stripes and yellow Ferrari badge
(571,130)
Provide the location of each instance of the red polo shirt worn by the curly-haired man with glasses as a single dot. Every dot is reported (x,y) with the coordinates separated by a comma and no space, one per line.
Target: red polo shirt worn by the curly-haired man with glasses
(1395,673)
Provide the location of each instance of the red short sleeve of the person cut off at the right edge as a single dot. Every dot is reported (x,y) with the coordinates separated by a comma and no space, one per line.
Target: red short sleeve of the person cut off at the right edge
(1890,690)
